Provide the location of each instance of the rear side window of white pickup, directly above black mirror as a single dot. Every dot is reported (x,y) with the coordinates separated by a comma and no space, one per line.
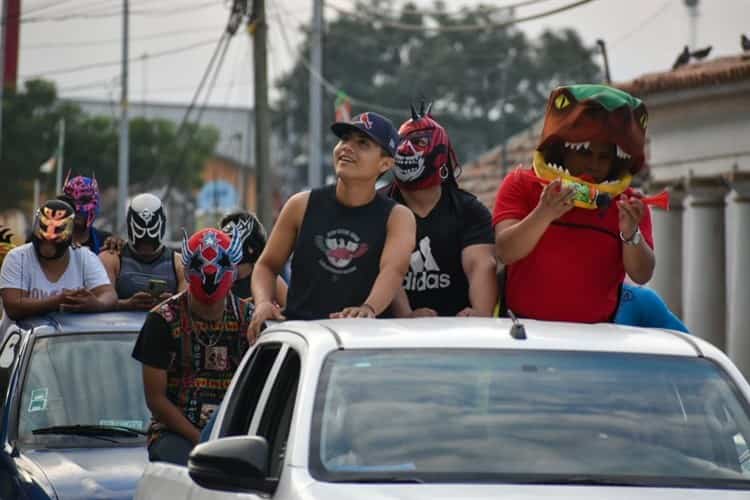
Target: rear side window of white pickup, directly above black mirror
(244,399)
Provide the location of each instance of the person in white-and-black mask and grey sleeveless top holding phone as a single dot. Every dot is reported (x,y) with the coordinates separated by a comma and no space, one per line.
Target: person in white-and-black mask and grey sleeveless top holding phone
(144,271)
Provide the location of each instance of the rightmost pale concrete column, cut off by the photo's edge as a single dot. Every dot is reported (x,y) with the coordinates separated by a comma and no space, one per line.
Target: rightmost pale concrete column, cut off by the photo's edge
(738,226)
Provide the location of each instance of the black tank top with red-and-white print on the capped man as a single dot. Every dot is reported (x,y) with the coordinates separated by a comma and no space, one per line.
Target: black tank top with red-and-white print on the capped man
(337,254)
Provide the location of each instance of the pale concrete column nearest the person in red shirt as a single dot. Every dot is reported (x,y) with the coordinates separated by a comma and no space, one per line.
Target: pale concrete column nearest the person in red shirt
(667,279)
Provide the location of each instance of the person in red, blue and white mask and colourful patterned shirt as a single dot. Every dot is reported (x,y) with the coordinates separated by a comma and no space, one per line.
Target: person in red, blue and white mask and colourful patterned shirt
(191,344)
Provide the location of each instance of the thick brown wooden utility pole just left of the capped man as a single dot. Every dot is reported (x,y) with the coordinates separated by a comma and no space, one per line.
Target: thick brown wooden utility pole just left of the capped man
(262,115)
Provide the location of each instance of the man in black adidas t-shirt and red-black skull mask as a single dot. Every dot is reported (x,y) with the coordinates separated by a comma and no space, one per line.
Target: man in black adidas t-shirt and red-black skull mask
(452,269)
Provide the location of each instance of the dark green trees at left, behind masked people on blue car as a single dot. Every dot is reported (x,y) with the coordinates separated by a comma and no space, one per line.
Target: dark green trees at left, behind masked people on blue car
(30,137)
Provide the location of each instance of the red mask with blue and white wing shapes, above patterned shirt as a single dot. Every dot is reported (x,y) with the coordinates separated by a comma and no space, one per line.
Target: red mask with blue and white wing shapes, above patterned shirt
(210,259)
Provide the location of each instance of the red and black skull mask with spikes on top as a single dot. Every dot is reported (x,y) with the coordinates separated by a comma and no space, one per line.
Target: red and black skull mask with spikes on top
(425,156)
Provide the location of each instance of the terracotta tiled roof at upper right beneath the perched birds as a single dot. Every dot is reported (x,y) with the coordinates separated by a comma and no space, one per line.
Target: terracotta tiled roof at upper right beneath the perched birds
(717,71)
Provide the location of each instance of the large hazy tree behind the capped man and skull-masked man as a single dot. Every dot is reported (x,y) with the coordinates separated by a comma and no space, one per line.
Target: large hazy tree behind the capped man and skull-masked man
(486,84)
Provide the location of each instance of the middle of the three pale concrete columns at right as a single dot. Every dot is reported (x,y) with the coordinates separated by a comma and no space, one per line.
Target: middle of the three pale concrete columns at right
(703,270)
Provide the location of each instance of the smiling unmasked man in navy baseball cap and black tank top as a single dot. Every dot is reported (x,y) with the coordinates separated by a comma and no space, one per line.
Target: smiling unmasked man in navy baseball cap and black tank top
(351,245)
